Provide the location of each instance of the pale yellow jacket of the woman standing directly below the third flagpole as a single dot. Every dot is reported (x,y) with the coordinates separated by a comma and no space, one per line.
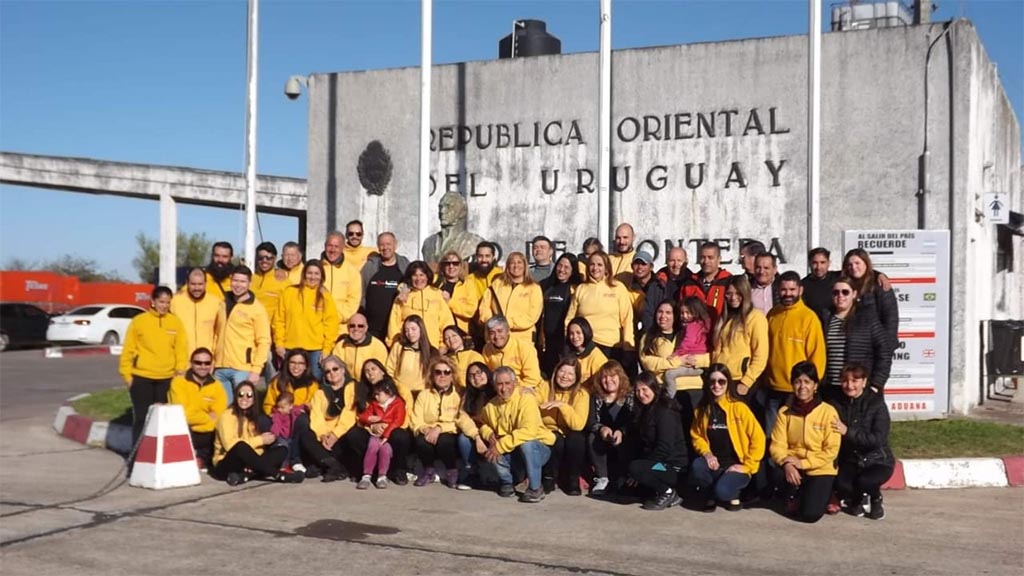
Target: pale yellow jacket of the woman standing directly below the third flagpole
(608,309)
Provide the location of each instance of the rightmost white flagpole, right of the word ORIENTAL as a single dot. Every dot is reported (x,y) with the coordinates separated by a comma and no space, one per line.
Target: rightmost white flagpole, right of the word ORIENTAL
(815,125)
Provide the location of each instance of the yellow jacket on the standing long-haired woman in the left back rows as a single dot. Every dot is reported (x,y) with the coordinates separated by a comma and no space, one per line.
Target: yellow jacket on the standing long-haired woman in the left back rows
(301,324)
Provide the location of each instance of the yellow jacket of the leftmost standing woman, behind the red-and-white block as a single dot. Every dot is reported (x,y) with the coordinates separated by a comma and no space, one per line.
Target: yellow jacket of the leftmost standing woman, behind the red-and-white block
(155,348)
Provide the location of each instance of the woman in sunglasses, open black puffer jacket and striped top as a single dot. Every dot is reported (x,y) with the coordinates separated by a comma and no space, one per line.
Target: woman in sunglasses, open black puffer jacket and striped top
(854,336)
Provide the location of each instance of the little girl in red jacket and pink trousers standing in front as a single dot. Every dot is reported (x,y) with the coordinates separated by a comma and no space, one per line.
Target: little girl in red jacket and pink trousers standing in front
(383,416)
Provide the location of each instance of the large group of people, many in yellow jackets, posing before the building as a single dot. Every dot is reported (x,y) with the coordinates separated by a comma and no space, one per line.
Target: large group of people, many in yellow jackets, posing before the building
(558,373)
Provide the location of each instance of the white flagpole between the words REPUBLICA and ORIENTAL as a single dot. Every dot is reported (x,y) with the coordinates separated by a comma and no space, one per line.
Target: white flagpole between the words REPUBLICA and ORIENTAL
(605,128)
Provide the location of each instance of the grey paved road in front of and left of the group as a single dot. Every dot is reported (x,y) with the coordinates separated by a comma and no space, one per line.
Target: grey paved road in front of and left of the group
(65,509)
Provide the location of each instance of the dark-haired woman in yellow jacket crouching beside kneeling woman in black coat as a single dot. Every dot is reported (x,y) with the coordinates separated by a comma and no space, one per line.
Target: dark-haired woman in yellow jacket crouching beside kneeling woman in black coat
(805,446)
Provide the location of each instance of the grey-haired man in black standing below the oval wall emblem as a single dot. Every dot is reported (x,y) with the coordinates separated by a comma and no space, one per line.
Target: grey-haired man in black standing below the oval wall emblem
(381,276)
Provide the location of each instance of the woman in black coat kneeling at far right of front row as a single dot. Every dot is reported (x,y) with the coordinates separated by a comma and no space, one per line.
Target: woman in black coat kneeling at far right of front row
(866,462)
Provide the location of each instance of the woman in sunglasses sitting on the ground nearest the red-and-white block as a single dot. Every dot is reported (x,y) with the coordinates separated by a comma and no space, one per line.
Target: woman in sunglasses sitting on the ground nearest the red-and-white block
(241,452)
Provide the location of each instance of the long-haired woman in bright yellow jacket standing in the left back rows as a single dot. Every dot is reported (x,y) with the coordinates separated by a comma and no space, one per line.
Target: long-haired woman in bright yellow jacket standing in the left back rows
(307,318)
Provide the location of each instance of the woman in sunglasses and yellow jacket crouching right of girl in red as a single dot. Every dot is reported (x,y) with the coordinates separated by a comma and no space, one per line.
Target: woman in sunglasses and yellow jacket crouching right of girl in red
(437,420)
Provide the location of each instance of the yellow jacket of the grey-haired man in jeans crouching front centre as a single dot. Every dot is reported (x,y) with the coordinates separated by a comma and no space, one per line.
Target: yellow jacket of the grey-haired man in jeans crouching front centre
(515,422)
